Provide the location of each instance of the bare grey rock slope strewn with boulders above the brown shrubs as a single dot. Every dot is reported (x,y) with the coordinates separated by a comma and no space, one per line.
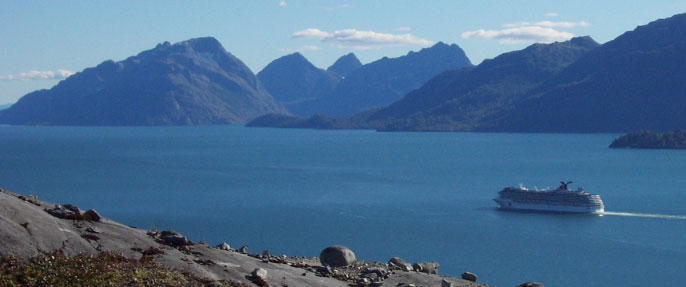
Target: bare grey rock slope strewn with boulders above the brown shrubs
(30,227)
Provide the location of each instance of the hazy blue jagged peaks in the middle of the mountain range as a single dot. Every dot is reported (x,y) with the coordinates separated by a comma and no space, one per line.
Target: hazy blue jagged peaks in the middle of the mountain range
(347,87)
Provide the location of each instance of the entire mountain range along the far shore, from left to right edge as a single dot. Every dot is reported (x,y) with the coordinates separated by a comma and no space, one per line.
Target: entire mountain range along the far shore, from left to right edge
(634,82)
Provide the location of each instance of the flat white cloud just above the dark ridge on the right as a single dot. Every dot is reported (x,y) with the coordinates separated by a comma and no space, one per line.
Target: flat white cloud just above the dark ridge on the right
(519,35)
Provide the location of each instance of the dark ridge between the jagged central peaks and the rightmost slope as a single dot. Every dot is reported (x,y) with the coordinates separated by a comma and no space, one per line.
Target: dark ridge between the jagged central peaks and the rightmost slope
(465,99)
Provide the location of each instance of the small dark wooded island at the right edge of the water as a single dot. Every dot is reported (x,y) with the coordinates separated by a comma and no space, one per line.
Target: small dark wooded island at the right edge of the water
(675,139)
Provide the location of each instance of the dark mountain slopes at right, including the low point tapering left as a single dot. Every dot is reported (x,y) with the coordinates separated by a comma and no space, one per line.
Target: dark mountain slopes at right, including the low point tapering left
(636,81)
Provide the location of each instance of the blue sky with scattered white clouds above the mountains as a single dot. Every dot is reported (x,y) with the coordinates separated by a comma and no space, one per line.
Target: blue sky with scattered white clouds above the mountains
(45,41)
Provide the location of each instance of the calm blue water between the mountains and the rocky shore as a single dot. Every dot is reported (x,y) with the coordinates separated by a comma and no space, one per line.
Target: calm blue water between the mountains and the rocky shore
(420,196)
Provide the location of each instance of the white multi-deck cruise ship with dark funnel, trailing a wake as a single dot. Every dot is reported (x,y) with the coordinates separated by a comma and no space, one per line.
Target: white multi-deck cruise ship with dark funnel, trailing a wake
(561,199)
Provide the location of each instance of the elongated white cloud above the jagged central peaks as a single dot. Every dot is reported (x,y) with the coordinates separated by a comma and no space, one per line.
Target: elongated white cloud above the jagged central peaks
(361,40)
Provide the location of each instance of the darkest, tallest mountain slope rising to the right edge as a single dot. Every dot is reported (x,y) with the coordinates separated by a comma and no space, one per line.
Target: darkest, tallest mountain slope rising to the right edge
(634,82)
